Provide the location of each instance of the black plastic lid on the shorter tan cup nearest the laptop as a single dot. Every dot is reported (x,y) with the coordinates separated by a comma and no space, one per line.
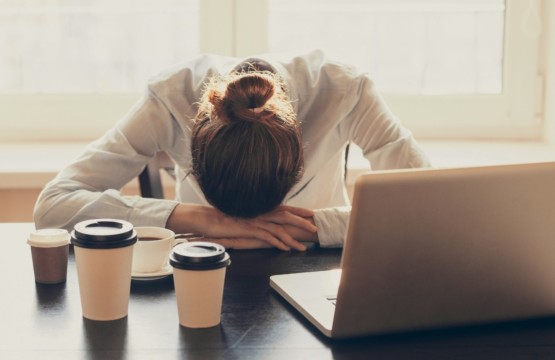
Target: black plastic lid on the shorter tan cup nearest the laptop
(199,255)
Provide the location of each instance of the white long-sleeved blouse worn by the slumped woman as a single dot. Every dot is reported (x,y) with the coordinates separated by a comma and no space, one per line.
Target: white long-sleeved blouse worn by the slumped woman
(335,103)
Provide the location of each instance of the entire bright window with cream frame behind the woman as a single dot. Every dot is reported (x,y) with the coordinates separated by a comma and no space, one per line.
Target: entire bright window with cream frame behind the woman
(448,68)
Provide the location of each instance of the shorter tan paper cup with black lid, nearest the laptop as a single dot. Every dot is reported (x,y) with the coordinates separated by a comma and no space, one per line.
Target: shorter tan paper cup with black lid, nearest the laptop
(199,275)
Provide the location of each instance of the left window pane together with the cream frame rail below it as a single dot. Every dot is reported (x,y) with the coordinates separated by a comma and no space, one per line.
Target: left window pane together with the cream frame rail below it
(69,69)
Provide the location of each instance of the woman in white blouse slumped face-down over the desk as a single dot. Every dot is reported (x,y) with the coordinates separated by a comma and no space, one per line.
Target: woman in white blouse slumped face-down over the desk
(258,147)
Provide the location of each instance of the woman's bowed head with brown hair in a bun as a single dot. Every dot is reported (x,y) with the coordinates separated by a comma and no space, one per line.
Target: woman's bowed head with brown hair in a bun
(246,144)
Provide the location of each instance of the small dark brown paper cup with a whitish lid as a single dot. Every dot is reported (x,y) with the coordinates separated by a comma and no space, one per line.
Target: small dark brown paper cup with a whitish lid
(49,251)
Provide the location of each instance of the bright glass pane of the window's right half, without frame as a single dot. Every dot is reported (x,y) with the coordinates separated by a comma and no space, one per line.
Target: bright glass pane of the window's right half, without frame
(408,47)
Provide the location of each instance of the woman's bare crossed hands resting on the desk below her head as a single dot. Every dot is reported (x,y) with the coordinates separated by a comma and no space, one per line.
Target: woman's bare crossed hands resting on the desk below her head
(275,229)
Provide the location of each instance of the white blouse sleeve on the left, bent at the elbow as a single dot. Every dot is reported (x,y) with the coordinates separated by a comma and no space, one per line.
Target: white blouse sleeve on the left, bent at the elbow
(89,187)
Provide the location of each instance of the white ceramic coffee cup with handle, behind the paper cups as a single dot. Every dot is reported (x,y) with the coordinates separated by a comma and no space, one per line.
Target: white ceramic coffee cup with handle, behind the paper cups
(152,250)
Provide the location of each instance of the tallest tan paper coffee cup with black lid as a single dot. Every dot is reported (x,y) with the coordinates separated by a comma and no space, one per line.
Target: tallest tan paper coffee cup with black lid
(104,254)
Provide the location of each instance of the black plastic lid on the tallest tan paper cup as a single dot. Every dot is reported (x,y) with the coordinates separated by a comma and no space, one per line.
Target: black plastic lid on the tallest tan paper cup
(103,234)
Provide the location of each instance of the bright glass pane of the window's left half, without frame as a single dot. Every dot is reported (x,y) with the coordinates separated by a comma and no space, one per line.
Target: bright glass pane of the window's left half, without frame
(92,47)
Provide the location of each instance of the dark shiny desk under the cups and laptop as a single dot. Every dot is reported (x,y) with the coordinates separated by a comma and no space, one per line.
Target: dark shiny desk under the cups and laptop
(45,322)
